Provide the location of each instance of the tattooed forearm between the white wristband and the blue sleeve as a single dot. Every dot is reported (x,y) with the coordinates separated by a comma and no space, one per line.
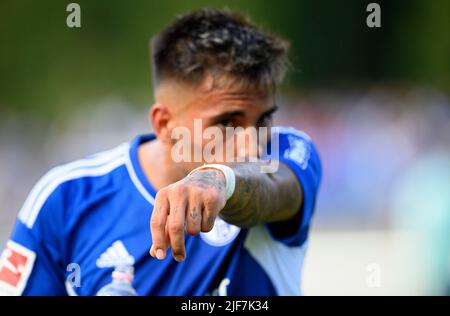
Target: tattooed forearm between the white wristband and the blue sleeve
(262,197)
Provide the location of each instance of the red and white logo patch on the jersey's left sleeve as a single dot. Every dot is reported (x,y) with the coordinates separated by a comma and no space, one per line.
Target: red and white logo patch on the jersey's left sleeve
(16,263)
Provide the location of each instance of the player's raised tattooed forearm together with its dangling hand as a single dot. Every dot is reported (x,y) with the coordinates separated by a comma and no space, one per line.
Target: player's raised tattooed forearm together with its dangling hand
(193,203)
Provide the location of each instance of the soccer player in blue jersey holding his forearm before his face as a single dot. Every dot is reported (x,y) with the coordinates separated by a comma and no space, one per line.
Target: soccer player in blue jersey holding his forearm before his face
(135,220)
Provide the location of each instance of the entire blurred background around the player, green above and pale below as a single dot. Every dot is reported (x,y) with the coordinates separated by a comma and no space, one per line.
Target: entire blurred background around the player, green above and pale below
(374,100)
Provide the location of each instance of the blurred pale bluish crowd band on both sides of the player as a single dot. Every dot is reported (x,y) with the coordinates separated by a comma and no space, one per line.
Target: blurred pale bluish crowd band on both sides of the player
(385,155)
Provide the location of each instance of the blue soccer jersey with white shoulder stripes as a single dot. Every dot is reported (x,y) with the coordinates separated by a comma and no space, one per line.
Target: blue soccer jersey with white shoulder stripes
(82,217)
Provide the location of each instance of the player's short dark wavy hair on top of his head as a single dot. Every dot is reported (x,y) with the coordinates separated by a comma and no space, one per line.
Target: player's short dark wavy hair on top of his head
(222,43)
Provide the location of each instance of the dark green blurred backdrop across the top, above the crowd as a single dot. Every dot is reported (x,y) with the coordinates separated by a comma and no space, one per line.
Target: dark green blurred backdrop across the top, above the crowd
(47,68)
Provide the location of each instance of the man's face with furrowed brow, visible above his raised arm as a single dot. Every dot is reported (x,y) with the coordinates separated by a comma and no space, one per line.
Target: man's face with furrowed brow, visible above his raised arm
(219,110)
